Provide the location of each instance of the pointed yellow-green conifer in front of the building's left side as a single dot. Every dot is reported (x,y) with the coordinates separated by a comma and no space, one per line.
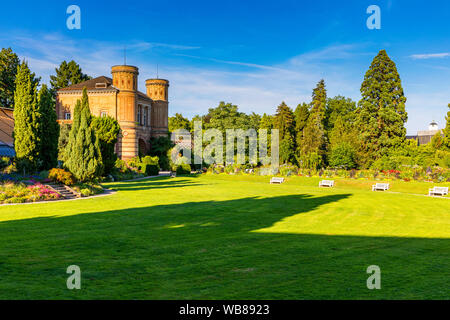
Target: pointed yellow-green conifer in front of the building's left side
(83,155)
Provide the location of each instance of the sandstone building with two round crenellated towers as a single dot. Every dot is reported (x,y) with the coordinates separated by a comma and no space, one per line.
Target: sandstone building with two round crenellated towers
(140,115)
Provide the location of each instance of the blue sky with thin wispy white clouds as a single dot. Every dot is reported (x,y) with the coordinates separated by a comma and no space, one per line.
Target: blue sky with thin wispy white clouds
(252,53)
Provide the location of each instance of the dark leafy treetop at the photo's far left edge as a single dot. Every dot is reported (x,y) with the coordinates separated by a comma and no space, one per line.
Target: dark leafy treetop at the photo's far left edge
(9,62)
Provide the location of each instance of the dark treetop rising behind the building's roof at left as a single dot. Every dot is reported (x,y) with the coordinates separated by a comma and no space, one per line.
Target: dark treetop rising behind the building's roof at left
(66,75)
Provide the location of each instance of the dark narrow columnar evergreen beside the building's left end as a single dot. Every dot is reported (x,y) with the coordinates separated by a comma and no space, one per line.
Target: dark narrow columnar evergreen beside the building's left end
(49,129)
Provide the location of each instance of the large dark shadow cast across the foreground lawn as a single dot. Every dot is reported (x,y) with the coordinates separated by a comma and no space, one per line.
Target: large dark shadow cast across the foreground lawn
(207,250)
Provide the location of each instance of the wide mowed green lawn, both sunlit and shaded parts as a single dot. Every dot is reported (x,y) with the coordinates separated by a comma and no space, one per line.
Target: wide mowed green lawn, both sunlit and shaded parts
(230,237)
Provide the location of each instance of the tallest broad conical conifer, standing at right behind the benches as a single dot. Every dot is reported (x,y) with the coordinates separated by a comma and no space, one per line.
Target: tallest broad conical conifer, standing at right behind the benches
(381,111)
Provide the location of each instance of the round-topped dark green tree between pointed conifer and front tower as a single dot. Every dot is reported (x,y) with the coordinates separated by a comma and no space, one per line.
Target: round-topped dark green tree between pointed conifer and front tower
(107,130)
